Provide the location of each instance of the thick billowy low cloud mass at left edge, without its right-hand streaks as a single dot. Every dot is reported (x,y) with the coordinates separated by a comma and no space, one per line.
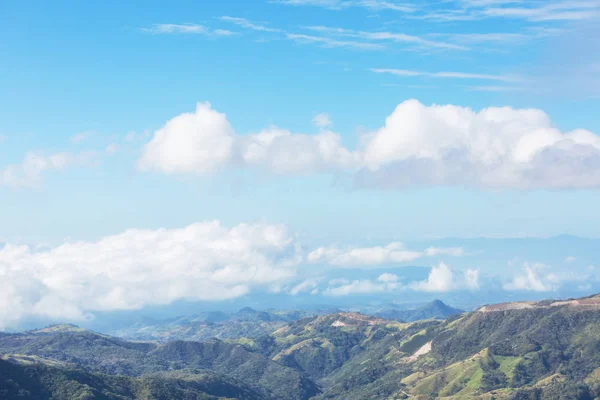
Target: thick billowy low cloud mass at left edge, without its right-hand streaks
(138,268)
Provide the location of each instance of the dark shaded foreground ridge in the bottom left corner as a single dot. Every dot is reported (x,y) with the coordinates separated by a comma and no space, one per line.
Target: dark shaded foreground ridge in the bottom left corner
(28,378)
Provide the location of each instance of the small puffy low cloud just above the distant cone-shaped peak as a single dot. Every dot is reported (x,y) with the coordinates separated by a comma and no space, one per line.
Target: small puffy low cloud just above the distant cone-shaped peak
(443,279)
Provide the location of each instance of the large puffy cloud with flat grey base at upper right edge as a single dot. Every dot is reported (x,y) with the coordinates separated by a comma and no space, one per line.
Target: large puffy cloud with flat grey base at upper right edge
(495,147)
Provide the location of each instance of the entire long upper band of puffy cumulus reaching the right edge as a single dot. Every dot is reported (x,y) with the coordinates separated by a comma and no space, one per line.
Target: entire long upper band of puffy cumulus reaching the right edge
(497,147)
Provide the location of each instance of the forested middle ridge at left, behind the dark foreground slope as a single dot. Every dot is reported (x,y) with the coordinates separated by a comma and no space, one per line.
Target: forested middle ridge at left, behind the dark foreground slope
(101,354)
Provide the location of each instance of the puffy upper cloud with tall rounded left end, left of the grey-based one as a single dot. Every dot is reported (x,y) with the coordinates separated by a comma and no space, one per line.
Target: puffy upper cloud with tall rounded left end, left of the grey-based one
(203,142)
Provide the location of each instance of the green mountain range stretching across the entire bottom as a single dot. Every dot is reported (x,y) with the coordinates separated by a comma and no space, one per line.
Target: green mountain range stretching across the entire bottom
(520,350)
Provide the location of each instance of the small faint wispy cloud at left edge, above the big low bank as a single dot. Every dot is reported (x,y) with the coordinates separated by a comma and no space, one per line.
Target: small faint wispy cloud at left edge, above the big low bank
(29,173)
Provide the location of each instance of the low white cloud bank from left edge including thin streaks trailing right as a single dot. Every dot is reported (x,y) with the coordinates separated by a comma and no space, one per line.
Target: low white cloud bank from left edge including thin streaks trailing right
(205,261)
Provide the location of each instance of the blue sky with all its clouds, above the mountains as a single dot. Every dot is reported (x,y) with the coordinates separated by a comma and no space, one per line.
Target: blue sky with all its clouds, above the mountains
(207,151)
